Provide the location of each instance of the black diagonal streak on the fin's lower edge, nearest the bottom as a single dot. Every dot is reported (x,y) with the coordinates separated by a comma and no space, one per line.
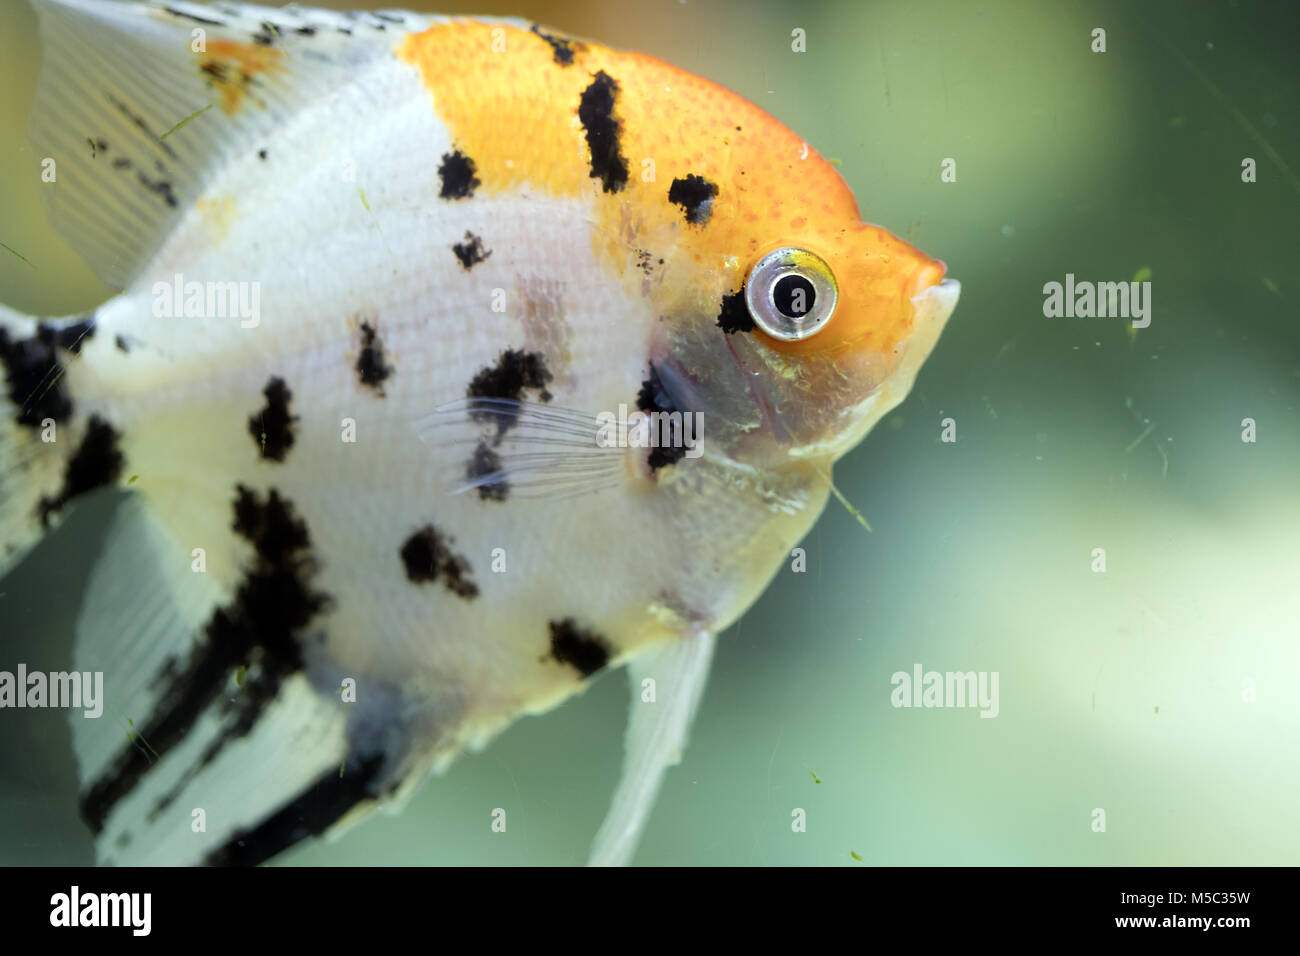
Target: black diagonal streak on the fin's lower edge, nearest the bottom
(310,815)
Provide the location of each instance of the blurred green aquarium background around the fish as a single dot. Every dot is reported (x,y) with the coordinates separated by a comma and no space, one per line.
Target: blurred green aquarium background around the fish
(1119,691)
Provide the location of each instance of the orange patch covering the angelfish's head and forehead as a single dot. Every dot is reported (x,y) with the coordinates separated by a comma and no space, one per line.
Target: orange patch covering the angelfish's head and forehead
(709,185)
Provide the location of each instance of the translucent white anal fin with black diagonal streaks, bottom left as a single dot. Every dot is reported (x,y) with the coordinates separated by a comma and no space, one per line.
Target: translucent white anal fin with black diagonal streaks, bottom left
(193,713)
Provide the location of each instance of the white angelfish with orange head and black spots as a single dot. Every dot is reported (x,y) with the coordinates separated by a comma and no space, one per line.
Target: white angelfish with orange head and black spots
(454,364)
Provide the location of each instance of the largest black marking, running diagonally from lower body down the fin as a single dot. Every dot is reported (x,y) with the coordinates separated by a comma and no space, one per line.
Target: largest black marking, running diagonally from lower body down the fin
(257,631)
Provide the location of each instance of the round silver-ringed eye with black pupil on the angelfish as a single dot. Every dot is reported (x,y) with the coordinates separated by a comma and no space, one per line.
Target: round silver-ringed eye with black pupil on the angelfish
(791,293)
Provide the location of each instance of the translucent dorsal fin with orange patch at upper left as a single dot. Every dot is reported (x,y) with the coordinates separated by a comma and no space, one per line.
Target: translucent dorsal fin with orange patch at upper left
(119,80)
